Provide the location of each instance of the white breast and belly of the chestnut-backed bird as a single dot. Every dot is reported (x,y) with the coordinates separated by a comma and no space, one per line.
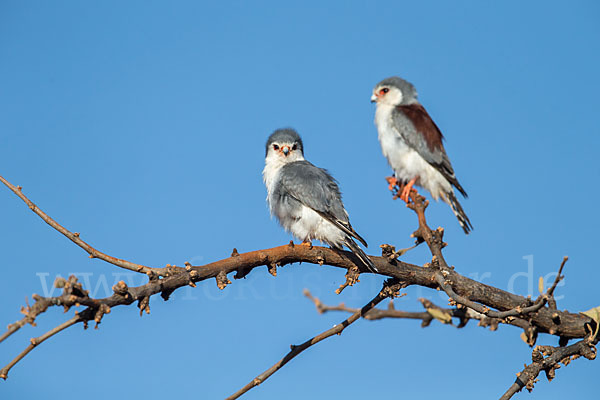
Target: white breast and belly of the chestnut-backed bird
(405,161)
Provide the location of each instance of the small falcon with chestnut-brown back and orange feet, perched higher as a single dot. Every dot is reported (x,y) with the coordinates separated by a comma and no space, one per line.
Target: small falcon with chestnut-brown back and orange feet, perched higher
(412,144)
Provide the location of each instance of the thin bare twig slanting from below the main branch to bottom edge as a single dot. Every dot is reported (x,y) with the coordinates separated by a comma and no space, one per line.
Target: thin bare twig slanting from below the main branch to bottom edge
(390,289)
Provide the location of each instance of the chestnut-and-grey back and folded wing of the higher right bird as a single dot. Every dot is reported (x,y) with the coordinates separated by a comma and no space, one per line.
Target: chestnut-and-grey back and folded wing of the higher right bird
(418,130)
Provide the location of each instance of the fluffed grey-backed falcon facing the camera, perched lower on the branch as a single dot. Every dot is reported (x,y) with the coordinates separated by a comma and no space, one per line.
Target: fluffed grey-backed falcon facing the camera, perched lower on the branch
(306,199)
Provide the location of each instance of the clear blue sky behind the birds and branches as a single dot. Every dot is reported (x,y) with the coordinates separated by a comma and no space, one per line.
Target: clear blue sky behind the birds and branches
(141,124)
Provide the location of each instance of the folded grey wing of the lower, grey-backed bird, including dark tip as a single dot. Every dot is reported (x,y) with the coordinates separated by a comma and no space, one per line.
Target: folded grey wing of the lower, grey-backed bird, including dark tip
(316,189)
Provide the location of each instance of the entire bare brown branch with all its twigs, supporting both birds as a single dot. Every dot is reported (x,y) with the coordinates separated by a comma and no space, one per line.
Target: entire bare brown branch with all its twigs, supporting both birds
(473,300)
